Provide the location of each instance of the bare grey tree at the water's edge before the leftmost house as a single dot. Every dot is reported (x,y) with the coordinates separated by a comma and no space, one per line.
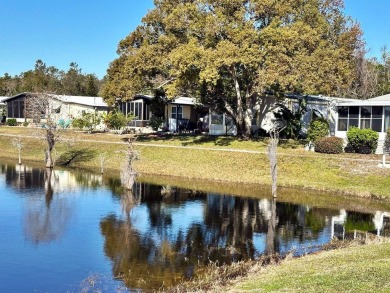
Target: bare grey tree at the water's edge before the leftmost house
(42,108)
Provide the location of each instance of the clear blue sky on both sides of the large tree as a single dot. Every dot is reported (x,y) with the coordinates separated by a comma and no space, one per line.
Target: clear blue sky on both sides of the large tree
(87,32)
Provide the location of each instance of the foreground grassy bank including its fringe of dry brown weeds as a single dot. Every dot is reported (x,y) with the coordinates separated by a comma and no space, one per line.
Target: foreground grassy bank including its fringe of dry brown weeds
(352,267)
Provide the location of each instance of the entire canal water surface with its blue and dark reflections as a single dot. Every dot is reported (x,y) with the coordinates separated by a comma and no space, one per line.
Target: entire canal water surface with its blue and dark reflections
(72,231)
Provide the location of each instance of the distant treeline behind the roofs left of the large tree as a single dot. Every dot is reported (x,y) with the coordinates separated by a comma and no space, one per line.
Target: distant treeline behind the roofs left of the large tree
(45,78)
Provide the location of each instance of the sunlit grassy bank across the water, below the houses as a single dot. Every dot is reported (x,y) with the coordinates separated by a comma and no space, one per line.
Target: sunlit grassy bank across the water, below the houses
(222,159)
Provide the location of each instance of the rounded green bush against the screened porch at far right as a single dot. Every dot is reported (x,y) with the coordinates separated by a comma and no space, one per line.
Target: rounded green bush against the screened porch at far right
(362,140)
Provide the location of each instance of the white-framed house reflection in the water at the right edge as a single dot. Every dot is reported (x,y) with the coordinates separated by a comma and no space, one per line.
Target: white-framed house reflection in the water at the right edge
(355,223)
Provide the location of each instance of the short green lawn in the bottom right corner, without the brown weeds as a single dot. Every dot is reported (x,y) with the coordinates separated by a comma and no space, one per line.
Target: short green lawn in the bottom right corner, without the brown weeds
(356,269)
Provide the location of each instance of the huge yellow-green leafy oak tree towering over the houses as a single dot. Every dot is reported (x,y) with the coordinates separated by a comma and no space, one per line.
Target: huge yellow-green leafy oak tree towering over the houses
(229,52)
